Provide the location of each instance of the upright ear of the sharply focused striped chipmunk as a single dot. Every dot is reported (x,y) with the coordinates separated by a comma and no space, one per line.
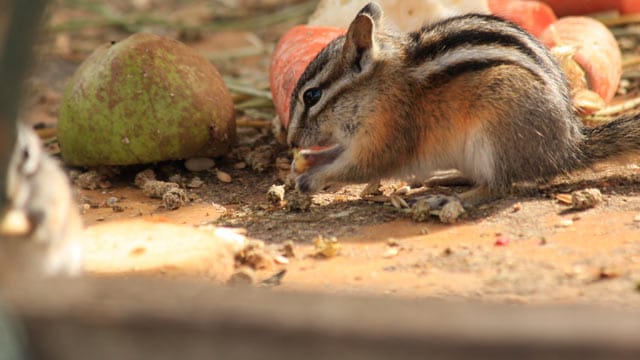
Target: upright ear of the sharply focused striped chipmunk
(359,46)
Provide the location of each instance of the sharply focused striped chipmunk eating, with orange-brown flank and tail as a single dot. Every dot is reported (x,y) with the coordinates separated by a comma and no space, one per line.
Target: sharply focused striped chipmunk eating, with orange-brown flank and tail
(473,92)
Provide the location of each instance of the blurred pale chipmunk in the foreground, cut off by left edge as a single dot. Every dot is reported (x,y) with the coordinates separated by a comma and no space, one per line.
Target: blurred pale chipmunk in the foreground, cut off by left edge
(40,221)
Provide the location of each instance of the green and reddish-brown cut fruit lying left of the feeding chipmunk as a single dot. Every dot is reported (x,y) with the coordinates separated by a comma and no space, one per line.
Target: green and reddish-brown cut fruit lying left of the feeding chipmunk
(145,99)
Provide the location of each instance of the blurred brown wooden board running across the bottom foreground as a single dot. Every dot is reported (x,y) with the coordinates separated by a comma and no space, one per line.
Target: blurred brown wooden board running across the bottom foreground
(118,318)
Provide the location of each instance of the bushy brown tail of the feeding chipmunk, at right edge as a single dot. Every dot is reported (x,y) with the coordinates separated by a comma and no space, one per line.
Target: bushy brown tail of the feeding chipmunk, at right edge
(619,138)
